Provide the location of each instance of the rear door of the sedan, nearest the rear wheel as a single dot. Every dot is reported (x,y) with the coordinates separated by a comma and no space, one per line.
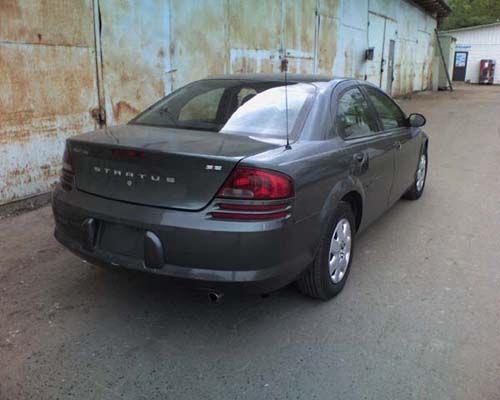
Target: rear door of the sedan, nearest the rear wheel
(370,150)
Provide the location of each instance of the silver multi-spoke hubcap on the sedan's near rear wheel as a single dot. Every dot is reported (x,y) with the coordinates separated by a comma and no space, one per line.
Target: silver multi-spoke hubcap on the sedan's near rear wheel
(340,250)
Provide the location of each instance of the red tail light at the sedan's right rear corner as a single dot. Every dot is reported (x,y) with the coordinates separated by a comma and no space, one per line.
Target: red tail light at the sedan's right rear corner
(271,190)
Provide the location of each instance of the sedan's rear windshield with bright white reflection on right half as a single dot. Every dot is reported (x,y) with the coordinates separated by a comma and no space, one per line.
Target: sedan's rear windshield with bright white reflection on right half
(233,107)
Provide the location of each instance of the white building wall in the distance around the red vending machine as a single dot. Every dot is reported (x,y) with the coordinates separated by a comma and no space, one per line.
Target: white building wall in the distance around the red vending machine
(481,43)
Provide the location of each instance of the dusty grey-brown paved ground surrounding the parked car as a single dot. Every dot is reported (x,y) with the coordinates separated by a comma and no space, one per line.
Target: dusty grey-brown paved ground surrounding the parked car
(419,317)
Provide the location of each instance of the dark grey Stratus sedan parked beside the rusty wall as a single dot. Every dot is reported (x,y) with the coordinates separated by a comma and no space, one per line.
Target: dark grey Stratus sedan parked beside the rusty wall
(242,181)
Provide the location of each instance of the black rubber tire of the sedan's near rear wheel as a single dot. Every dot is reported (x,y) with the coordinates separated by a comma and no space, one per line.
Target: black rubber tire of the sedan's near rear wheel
(318,281)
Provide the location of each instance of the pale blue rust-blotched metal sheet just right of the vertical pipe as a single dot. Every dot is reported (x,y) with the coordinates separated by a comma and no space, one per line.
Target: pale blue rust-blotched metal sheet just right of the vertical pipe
(134,43)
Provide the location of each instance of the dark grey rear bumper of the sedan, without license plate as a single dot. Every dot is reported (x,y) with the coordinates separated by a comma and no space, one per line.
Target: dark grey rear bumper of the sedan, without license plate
(261,256)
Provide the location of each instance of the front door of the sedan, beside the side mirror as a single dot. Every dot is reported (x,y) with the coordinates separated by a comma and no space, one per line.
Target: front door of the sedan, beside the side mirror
(406,141)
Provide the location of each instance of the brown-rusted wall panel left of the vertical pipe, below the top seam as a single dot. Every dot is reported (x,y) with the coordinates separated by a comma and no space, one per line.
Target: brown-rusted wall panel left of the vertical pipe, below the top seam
(39,81)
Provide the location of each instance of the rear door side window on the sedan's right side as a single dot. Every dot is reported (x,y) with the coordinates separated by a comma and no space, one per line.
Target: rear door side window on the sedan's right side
(353,118)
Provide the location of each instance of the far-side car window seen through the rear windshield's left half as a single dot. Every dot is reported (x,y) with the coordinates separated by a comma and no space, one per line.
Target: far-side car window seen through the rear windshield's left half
(203,107)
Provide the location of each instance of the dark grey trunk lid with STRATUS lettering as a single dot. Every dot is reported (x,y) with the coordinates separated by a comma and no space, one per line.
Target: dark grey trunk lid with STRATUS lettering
(162,167)
